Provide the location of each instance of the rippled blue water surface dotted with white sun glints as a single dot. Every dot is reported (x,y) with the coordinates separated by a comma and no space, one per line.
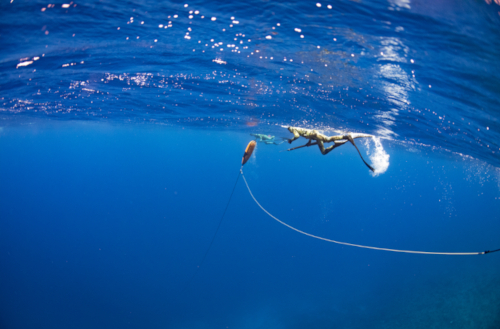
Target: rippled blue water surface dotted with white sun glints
(412,71)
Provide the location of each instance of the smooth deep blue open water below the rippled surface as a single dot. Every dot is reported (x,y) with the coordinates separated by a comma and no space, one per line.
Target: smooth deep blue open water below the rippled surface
(102,226)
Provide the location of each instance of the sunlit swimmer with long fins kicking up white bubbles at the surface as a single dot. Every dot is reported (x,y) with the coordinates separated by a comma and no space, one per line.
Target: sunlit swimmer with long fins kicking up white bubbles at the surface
(319,139)
